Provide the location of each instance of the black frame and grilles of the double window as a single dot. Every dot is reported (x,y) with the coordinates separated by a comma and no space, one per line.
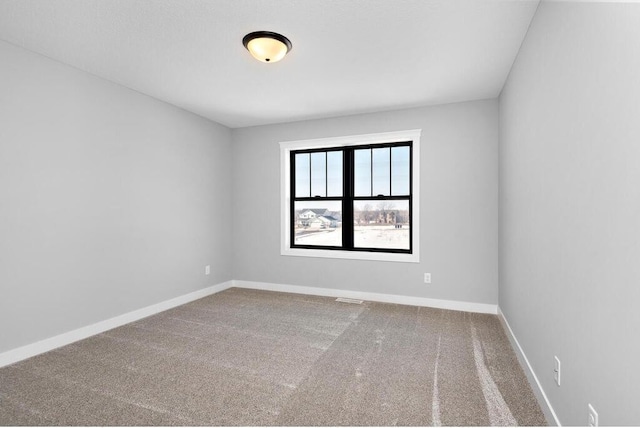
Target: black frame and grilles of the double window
(348,196)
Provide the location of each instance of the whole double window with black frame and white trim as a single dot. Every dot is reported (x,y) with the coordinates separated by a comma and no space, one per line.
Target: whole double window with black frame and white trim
(351,197)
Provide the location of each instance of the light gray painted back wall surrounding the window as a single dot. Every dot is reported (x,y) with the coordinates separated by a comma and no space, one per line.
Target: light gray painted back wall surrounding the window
(458,213)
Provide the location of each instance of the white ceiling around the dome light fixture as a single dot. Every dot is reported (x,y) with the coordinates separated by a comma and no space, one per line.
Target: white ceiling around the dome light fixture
(348,57)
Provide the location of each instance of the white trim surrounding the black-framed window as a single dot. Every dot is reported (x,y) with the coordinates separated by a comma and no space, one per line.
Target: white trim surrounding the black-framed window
(354,140)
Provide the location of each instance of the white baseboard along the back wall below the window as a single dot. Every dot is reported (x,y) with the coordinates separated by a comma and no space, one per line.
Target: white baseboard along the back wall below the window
(374,297)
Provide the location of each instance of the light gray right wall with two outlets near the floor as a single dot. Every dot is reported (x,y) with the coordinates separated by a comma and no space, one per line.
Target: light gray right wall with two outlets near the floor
(570,206)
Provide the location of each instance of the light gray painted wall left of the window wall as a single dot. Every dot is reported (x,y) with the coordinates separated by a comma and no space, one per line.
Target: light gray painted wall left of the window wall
(110,201)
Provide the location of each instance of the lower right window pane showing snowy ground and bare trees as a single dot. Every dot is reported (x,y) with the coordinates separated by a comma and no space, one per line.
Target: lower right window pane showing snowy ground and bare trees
(381,224)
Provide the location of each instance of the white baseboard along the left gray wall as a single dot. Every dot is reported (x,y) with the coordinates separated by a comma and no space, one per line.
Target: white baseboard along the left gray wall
(27,351)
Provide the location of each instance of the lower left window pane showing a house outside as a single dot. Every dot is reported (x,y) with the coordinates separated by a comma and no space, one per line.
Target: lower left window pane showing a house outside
(318,223)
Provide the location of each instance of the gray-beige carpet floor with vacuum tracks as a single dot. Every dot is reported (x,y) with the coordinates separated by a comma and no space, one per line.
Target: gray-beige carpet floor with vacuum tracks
(246,357)
